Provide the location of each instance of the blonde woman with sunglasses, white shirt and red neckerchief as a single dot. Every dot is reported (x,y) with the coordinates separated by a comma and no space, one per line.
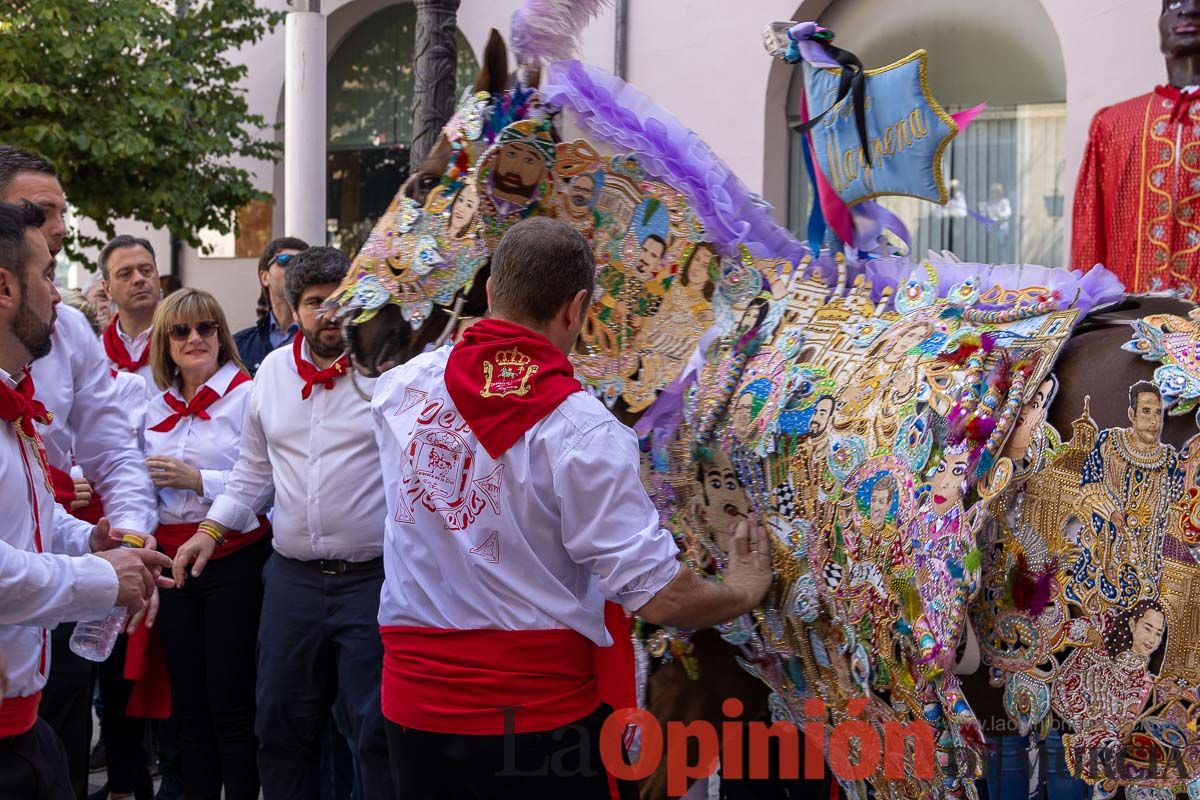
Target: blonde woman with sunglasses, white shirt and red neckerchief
(209,628)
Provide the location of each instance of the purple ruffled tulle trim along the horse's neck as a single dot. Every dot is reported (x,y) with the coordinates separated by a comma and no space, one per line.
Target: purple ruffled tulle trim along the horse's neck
(625,118)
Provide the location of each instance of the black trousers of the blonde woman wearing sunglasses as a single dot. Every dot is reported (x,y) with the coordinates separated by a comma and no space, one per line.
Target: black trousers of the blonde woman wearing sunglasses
(211,633)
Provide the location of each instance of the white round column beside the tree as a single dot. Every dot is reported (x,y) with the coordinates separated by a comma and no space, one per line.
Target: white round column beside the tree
(304,124)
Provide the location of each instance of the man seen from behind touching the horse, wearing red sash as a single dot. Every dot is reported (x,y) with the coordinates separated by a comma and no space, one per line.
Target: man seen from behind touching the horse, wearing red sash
(514,512)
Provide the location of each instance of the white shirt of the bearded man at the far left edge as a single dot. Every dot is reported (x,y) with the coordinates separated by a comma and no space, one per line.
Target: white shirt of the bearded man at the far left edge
(47,575)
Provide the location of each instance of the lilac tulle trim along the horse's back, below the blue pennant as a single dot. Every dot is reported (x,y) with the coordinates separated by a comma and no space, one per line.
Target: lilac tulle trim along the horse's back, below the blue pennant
(1097,287)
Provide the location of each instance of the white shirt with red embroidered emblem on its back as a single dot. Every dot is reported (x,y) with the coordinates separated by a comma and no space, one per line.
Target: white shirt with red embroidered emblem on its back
(533,540)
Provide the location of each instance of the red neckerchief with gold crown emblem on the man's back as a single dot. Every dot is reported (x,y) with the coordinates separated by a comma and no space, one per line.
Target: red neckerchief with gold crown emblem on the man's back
(505,380)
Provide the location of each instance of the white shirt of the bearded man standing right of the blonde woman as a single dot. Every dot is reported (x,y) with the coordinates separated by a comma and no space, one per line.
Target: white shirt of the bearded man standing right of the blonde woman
(321,460)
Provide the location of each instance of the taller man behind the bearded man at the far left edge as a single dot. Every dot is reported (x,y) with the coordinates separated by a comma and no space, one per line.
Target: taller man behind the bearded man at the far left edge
(91,429)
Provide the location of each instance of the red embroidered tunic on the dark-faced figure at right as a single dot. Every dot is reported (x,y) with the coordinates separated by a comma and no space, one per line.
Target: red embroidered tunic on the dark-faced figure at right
(1138,200)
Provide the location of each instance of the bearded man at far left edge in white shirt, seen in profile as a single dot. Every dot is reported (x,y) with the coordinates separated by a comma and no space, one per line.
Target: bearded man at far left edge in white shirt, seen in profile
(47,572)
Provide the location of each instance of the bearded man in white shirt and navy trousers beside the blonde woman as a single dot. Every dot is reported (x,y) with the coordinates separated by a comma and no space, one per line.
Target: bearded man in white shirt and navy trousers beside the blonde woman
(309,440)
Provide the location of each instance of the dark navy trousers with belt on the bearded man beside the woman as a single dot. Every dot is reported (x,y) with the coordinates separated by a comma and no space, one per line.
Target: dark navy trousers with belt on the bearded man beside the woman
(319,645)
